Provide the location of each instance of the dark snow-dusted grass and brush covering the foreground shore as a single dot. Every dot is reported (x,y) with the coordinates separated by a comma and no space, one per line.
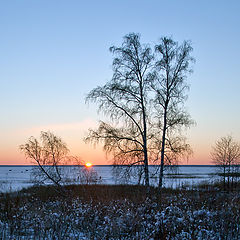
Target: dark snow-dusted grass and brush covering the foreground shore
(119,212)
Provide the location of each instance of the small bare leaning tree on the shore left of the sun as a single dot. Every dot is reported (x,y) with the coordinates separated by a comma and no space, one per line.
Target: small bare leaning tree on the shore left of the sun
(48,153)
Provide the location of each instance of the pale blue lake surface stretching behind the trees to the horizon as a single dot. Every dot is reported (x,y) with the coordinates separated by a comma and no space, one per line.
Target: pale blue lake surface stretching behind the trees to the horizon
(14,178)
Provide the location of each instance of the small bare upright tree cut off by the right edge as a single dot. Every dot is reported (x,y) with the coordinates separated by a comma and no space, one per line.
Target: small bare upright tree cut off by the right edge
(226,155)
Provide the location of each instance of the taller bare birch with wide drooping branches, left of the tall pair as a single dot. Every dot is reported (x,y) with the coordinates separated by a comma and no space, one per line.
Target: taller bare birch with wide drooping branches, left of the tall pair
(124,99)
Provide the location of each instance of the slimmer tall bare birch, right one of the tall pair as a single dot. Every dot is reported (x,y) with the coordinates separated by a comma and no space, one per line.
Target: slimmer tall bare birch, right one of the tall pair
(170,85)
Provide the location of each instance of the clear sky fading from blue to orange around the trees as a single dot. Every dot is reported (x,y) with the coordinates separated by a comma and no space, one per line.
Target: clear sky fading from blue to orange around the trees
(52,53)
